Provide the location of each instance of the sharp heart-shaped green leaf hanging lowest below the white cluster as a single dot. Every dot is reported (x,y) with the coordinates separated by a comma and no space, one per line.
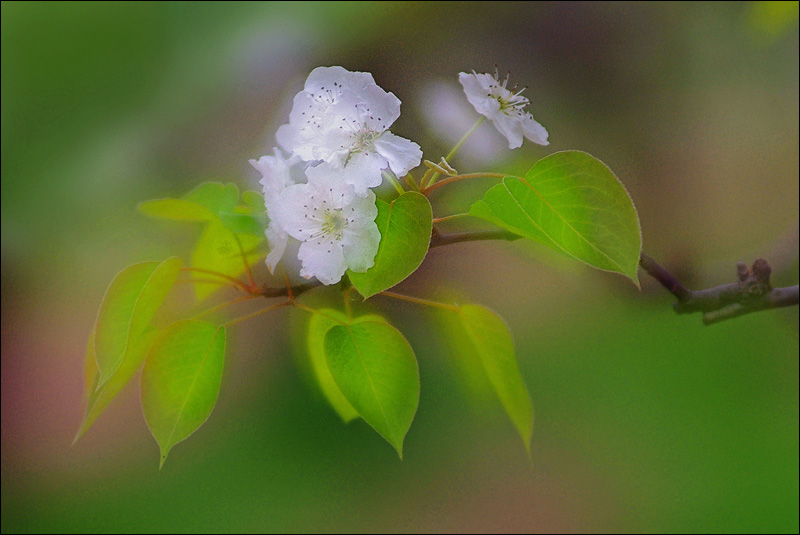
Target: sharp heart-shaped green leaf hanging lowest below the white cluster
(376,371)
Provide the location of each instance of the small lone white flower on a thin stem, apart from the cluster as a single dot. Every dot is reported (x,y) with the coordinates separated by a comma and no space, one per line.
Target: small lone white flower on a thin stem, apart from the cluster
(503,107)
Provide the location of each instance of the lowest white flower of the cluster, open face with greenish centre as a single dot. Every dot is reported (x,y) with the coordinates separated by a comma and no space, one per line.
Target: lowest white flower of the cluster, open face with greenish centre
(336,227)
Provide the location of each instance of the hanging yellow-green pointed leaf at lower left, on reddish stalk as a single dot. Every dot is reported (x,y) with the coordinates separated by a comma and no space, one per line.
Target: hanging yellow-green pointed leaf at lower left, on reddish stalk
(181,380)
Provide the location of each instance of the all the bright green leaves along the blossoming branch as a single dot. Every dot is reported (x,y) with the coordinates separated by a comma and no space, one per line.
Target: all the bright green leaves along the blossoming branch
(364,367)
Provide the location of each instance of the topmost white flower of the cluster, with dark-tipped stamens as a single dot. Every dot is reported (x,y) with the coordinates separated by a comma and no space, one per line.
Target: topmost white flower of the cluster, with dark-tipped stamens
(342,118)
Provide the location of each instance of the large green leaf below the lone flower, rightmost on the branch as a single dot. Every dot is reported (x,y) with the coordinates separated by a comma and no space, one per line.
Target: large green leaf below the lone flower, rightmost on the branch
(572,202)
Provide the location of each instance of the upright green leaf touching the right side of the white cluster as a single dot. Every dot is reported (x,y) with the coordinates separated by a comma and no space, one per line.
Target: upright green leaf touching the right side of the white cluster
(405,227)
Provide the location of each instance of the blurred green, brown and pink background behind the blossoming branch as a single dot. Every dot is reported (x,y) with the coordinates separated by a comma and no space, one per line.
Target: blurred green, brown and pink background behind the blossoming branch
(645,421)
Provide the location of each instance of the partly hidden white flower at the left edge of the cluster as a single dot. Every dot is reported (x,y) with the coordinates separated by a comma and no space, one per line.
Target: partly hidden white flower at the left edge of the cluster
(277,173)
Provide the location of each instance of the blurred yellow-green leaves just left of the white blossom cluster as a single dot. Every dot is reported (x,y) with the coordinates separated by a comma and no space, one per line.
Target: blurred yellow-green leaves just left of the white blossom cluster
(231,235)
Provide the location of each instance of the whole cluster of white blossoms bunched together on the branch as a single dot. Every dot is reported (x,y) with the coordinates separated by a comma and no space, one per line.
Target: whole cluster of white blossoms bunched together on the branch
(317,185)
